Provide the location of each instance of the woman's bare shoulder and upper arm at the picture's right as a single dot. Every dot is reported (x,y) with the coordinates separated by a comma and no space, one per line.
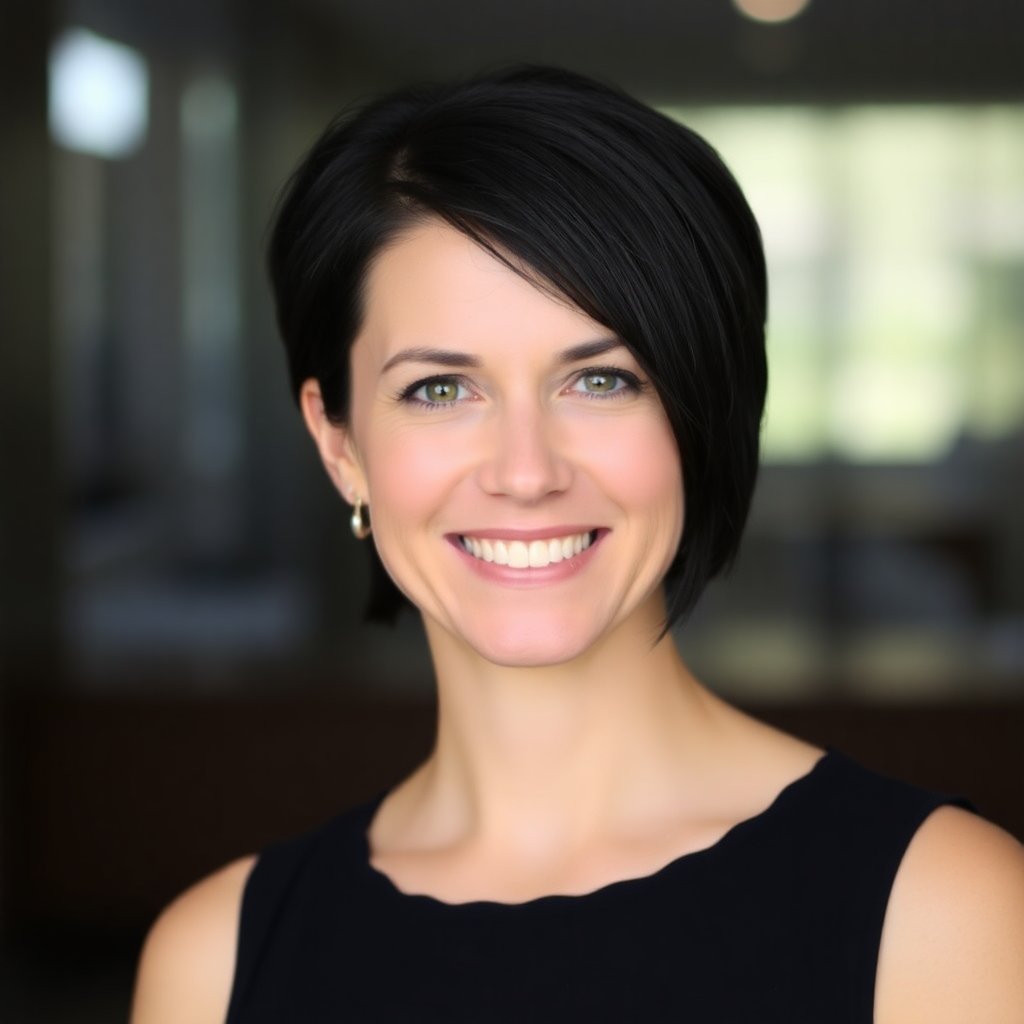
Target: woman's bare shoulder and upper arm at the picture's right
(953,947)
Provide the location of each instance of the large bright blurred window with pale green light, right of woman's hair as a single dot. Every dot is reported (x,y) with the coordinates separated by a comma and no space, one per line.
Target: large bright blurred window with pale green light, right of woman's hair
(895,240)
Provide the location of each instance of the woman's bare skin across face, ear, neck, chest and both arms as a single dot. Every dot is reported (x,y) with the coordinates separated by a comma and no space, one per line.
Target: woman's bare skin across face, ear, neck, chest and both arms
(575,748)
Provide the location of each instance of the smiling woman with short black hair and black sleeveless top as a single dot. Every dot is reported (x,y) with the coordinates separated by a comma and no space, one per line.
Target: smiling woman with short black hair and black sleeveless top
(525,322)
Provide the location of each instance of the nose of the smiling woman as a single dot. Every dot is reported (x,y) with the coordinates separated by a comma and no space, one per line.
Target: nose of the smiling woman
(526,458)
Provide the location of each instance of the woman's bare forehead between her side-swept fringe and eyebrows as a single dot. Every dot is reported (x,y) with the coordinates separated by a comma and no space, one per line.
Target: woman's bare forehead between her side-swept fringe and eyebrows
(435,286)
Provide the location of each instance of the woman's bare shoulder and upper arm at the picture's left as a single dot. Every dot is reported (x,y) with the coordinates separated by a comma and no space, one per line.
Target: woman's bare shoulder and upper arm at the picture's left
(188,964)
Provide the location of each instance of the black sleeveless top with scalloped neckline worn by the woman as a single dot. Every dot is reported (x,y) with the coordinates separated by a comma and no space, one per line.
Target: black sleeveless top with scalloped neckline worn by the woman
(778,922)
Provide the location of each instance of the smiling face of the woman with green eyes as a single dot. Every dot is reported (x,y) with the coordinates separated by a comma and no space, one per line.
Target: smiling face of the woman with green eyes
(524,482)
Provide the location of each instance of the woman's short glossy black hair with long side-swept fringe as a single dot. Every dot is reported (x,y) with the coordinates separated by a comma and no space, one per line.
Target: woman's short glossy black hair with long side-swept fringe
(630,216)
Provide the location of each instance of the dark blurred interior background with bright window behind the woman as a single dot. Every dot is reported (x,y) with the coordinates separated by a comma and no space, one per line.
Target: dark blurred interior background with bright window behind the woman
(184,674)
